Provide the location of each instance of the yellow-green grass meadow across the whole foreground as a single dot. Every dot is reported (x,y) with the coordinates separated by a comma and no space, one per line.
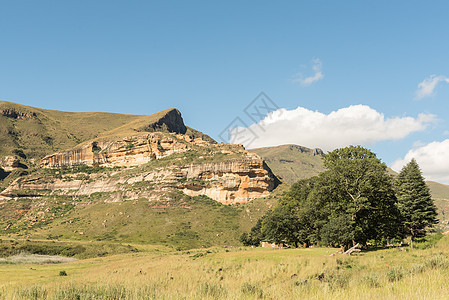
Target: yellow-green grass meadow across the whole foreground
(157,272)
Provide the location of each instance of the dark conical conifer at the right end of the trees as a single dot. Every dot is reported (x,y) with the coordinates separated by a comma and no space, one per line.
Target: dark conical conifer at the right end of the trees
(415,202)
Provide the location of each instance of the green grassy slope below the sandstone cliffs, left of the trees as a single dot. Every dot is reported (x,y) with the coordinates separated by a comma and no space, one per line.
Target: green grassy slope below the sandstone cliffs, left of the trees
(178,221)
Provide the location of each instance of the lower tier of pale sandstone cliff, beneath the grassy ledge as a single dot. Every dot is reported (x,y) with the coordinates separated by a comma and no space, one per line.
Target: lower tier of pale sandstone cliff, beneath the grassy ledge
(226,182)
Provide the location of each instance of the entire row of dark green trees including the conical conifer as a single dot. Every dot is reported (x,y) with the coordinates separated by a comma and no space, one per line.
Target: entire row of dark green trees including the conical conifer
(354,201)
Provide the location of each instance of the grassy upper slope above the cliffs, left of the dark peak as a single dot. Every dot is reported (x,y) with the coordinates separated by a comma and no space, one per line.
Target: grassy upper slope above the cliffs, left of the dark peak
(38,132)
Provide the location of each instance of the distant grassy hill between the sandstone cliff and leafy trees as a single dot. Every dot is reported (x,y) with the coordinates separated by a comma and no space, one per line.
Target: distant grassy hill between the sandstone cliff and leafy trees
(291,162)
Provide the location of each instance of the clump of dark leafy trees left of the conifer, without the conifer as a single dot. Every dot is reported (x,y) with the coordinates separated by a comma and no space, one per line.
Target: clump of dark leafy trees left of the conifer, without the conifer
(352,201)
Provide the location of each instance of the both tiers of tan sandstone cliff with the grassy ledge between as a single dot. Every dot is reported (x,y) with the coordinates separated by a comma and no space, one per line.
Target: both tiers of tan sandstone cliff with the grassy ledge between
(226,173)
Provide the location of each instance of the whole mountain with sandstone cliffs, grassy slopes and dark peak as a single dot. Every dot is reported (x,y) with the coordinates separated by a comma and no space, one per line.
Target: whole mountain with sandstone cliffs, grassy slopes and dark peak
(126,178)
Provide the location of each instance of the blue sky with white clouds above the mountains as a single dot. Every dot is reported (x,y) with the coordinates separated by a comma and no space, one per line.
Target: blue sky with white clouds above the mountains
(210,59)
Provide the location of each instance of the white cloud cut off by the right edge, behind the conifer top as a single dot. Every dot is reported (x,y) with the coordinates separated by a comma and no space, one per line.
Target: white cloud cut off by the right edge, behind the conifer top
(433,159)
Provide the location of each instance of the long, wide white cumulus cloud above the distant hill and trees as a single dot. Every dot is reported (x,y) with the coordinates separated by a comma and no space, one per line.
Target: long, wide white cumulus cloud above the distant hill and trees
(353,125)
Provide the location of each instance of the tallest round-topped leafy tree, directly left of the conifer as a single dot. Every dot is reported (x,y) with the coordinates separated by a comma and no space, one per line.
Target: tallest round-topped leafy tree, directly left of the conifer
(360,196)
